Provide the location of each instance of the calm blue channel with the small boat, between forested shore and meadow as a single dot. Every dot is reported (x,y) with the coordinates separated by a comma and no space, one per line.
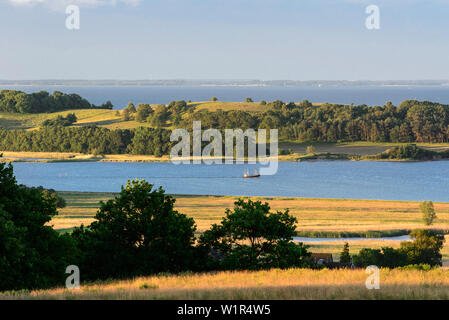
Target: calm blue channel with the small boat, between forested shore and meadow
(415,181)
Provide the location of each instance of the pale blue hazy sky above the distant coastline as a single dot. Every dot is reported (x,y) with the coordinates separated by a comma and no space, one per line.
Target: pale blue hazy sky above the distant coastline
(224,39)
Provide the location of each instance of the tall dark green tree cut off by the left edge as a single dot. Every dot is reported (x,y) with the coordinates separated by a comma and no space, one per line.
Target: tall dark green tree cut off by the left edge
(32,254)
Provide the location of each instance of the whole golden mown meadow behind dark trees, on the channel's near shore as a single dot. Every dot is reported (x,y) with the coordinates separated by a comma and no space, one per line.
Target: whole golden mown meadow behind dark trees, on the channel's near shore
(356,216)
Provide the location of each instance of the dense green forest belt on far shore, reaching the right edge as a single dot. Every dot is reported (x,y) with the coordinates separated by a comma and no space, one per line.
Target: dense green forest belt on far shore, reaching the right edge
(411,121)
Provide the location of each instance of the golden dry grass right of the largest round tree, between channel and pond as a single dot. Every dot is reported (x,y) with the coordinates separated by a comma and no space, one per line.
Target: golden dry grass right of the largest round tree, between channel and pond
(323,214)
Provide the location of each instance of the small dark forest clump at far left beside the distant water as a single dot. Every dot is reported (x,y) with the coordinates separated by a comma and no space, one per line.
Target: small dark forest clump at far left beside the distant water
(38,102)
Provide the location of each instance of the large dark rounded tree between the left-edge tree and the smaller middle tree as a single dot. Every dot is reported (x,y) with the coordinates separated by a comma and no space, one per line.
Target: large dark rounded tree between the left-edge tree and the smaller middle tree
(137,233)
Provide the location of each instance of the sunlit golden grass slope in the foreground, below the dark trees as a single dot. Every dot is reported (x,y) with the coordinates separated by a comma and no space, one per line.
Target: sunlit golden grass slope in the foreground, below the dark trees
(275,284)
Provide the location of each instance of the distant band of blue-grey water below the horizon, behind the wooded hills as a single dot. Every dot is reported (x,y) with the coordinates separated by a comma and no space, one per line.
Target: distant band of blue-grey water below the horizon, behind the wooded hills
(370,95)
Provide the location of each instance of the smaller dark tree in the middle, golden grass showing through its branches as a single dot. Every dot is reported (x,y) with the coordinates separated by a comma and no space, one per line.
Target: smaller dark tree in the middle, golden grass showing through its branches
(252,237)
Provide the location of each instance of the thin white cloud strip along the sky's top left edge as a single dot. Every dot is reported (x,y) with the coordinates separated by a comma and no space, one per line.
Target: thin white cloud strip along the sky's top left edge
(61,4)
